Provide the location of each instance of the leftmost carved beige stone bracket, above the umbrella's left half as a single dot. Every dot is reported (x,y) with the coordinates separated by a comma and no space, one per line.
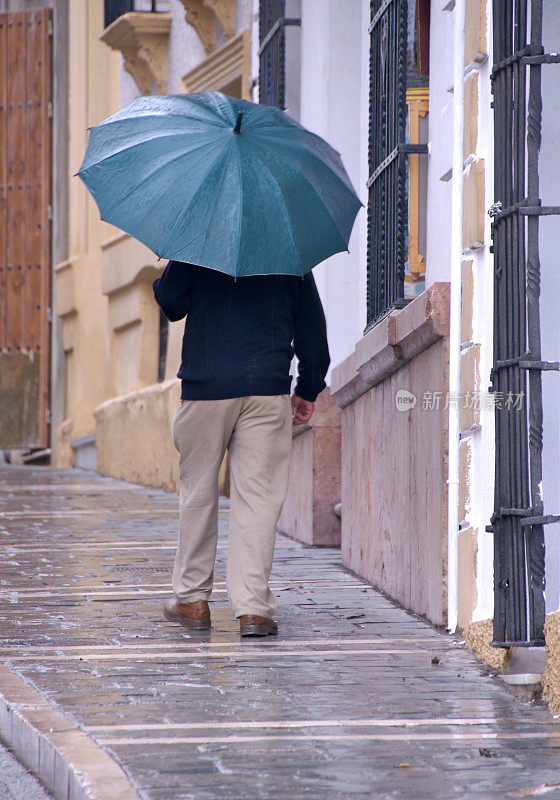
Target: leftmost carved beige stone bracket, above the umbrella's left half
(142,38)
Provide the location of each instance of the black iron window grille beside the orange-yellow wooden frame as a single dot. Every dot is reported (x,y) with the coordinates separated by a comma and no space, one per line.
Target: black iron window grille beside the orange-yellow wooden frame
(387,152)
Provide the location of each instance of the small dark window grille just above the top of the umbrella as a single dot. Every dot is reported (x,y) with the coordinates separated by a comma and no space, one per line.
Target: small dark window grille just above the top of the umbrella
(272,52)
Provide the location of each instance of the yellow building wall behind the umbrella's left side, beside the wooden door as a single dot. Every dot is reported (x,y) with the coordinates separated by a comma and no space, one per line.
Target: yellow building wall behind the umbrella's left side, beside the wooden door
(103,291)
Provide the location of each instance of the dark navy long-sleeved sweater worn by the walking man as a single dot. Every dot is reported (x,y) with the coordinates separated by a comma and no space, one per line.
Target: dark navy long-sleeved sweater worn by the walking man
(241,335)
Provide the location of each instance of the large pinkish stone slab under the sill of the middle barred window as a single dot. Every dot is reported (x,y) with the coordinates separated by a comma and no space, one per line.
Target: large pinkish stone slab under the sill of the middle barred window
(401,547)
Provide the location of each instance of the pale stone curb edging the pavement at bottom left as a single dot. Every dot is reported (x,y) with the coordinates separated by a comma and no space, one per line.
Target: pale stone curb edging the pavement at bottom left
(67,762)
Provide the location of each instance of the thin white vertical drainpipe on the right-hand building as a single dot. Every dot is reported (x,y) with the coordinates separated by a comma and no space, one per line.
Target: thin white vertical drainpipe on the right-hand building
(455,312)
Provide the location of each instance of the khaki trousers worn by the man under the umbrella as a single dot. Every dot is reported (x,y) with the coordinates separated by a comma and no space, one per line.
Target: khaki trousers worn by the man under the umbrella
(257,431)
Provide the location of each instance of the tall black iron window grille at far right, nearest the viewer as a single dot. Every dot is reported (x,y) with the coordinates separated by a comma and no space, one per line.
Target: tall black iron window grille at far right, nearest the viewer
(518,518)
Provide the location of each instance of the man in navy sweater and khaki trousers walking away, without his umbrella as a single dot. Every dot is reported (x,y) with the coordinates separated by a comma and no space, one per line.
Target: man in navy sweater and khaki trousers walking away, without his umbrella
(240,337)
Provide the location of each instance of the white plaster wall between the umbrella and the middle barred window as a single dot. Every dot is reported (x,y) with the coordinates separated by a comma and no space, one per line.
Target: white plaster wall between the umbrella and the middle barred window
(333,74)
